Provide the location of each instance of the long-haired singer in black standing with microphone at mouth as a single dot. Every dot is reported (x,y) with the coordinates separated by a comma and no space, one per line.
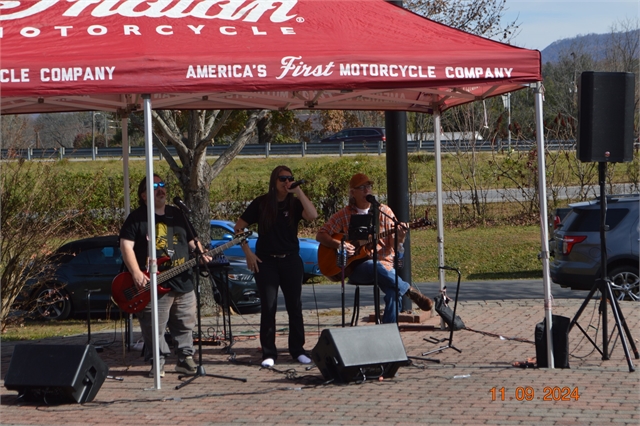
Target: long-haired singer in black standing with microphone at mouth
(276,262)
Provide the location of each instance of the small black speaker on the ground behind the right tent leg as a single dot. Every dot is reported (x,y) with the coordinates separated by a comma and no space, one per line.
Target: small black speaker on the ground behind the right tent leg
(560,342)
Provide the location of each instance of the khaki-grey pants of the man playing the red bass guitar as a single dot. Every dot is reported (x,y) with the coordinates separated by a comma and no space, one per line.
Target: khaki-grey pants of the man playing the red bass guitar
(176,311)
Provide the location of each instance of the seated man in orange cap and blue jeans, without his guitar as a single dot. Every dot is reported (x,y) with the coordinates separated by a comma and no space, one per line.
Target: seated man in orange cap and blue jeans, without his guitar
(360,198)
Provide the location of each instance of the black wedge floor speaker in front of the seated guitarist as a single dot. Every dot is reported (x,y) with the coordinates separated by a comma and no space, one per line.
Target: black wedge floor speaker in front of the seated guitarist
(358,353)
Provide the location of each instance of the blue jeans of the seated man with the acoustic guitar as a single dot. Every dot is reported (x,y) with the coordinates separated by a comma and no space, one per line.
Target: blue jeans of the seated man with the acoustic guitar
(363,273)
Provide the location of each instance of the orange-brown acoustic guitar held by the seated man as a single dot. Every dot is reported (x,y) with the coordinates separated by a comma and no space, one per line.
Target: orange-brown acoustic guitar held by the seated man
(328,257)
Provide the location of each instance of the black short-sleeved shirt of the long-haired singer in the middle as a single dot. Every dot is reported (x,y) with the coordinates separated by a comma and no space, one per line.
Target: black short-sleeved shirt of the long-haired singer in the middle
(282,238)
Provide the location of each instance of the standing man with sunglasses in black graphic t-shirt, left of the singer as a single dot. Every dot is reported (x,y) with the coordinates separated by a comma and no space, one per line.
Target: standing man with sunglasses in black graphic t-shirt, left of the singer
(177,307)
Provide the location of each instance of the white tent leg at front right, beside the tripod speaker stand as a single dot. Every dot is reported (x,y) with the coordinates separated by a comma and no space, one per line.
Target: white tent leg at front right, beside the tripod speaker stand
(544,236)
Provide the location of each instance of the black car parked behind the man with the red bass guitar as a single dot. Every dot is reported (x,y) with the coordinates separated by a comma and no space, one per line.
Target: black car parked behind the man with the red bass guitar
(90,265)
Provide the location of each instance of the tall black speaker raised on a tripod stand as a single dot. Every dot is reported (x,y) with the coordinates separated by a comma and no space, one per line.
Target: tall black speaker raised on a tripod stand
(605,115)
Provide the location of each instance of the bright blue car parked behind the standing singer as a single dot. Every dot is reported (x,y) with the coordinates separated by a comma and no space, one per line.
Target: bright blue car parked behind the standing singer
(222,232)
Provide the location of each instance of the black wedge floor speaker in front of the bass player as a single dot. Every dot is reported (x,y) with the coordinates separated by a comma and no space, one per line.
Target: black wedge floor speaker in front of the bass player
(56,373)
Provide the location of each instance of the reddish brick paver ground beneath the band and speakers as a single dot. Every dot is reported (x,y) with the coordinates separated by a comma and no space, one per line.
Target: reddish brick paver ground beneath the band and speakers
(464,388)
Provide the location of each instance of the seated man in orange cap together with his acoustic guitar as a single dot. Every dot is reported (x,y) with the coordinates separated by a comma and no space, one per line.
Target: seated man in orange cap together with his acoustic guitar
(359,263)
